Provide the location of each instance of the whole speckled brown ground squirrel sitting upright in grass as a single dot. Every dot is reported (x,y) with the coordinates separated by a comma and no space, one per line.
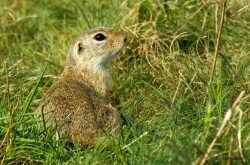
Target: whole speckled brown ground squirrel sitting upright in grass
(79,99)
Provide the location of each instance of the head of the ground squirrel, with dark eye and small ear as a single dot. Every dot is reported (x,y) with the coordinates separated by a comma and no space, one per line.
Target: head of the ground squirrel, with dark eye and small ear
(95,49)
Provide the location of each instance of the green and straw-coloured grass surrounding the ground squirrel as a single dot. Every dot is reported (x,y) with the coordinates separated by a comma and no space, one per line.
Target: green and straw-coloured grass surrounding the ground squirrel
(171,115)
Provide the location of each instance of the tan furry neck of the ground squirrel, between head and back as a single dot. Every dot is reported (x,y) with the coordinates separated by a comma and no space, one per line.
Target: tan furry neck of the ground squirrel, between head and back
(99,80)
